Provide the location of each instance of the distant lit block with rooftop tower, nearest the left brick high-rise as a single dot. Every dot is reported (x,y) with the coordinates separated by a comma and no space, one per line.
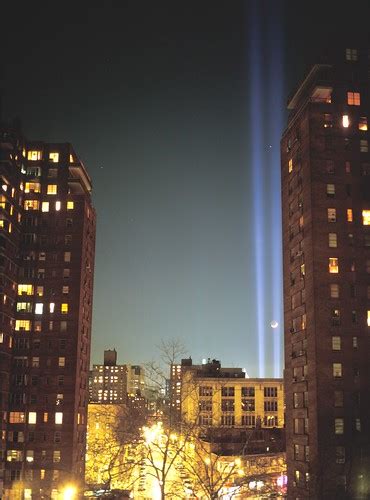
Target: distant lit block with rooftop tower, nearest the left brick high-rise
(108,382)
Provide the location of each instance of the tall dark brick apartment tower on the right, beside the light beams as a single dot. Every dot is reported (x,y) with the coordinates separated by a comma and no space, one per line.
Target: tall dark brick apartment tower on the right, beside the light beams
(326,239)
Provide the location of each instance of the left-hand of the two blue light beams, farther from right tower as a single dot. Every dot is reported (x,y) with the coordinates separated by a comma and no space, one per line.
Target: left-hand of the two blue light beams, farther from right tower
(256,105)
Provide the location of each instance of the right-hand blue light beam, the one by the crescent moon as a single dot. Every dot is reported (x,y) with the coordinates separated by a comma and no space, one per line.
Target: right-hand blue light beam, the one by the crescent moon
(275,104)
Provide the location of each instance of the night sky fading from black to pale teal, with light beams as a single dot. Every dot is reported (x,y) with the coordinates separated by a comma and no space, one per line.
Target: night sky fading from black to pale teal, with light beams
(158,99)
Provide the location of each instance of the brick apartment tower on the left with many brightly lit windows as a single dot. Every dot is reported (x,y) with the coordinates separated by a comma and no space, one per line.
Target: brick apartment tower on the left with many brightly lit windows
(47,239)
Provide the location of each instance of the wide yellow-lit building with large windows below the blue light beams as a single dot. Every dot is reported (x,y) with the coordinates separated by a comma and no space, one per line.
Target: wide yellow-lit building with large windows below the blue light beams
(223,397)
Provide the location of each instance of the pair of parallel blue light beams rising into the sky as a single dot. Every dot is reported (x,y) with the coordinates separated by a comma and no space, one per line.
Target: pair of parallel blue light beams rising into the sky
(266,124)
